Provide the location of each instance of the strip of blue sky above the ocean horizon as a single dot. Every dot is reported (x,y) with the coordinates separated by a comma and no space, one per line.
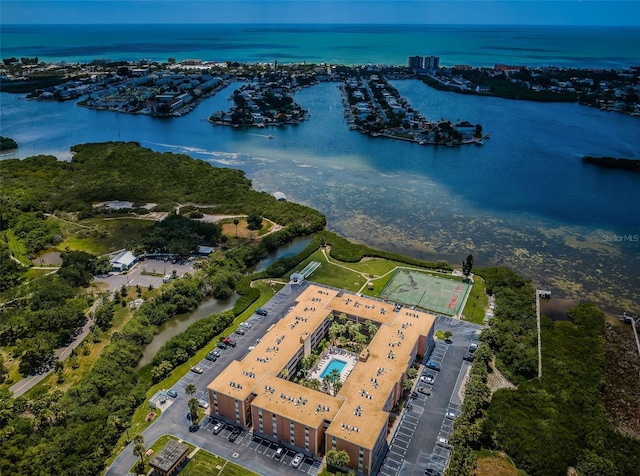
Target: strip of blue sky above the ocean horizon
(490,12)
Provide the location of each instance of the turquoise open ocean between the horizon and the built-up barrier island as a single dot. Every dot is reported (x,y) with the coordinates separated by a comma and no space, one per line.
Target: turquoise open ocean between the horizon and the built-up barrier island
(602,47)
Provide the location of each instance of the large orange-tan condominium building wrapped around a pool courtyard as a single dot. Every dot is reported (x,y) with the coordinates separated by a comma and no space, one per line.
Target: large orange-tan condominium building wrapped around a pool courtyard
(255,392)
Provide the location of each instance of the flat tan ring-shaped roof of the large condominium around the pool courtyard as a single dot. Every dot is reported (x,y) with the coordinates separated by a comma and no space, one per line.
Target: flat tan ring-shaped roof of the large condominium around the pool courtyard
(360,410)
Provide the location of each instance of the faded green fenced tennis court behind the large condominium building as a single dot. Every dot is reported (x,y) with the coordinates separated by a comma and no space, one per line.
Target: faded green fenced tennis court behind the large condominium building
(413,288)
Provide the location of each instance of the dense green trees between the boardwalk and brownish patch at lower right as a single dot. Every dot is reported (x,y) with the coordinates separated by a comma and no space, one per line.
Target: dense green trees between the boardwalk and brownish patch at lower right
(557,421)
